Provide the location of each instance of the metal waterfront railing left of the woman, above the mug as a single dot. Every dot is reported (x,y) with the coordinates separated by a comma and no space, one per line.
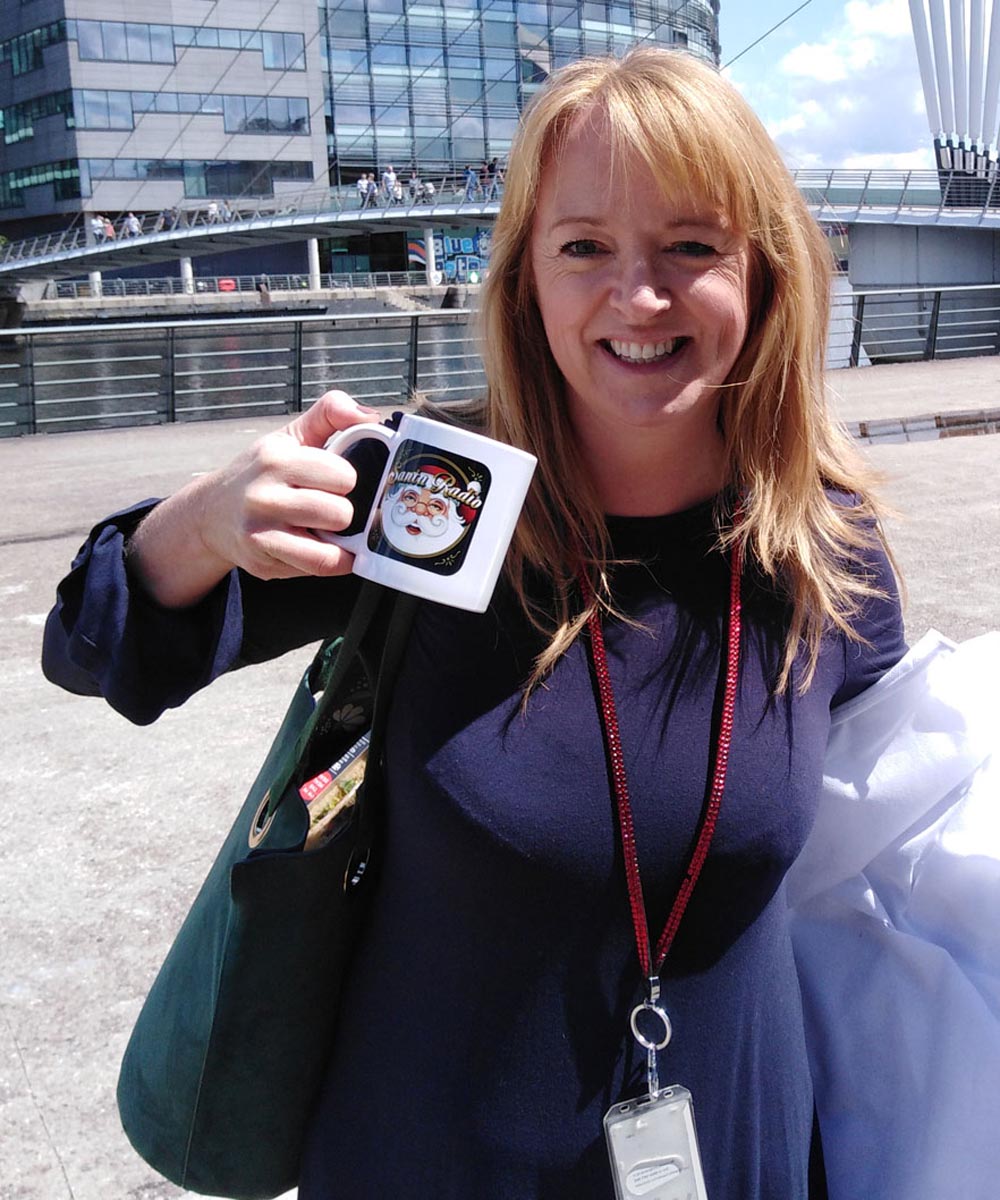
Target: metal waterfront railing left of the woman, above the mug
(89,377)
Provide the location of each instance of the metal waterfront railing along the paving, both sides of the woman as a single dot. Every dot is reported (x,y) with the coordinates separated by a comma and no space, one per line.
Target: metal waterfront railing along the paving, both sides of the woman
(77,377)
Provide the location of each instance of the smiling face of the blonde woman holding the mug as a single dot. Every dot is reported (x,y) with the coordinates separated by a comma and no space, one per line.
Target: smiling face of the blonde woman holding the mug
(643,297)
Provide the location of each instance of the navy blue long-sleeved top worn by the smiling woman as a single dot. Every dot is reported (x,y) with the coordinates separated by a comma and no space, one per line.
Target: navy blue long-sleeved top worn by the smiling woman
(484,1031)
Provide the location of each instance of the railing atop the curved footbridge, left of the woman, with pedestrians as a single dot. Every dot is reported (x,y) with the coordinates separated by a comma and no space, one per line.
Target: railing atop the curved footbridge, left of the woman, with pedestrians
(447,195)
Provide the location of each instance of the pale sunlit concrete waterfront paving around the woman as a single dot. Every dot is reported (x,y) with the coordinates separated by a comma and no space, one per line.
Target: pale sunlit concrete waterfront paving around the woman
(109,830)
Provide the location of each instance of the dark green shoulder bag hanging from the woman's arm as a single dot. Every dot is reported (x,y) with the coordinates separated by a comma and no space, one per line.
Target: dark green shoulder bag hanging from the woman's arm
(227,1055)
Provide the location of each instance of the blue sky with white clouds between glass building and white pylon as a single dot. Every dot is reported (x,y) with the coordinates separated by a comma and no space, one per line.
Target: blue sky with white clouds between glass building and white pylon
(837,86)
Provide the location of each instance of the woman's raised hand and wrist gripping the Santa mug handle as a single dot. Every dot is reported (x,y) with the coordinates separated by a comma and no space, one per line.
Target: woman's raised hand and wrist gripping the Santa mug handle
(258,513)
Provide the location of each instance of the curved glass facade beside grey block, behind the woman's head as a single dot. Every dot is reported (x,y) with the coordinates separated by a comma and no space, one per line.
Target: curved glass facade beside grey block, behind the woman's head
(444,85)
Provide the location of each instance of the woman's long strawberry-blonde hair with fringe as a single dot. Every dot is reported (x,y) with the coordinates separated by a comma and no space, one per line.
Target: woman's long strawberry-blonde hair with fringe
(698,136)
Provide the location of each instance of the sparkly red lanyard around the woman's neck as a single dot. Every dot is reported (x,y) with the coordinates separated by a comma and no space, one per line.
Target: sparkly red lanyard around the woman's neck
(610,723)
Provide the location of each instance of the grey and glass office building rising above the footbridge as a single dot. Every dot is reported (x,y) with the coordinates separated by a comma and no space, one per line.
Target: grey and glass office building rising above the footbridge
(116,106)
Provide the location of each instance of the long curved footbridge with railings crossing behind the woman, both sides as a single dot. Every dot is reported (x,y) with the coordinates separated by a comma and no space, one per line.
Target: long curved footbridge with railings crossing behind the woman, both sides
(929,199)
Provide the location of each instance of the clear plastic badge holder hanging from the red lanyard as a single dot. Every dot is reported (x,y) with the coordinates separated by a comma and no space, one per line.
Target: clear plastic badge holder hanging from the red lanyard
(654,1148)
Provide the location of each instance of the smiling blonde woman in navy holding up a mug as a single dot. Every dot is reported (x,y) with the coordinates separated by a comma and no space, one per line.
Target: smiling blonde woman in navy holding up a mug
(655,323)
